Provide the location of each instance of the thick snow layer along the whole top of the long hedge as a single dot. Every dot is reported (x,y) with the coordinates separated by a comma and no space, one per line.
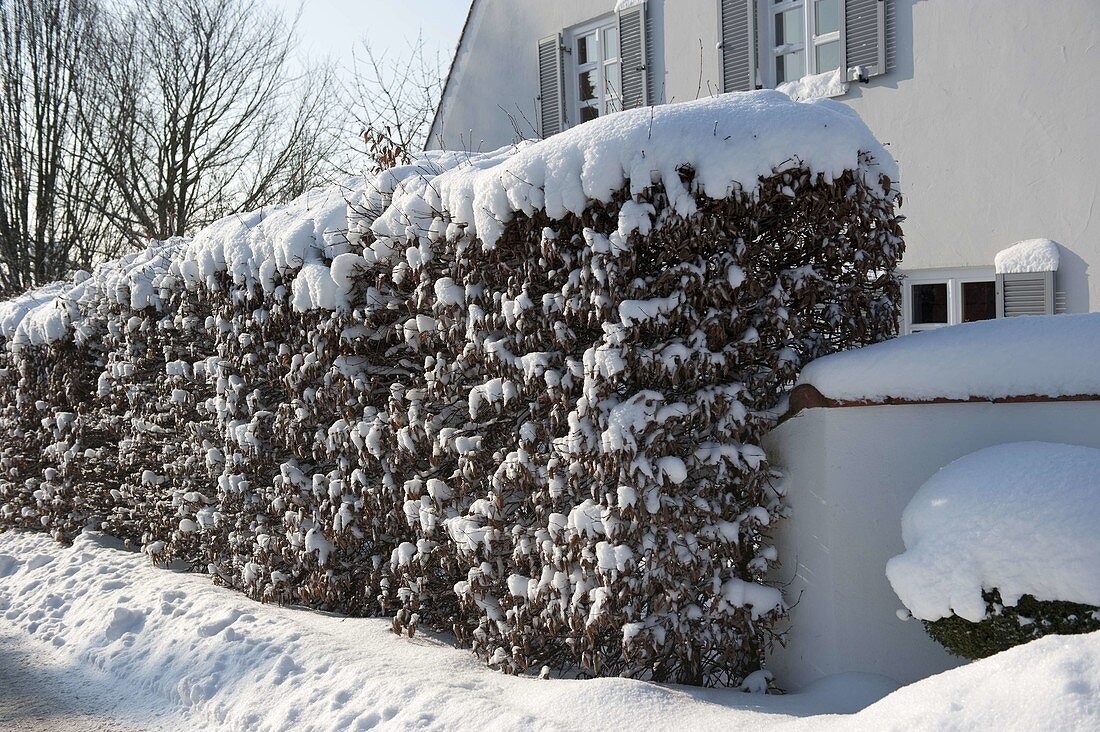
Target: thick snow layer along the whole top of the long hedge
(729,144)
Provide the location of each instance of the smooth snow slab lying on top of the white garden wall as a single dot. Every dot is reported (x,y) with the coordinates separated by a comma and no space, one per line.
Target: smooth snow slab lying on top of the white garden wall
(1043,356)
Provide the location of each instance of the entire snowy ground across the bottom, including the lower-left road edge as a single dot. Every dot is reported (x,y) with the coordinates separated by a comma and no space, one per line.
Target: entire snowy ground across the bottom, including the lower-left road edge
(93,638)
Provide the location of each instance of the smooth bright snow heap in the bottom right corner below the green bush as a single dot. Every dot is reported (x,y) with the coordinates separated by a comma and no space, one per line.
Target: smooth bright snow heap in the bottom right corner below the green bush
(1050,684)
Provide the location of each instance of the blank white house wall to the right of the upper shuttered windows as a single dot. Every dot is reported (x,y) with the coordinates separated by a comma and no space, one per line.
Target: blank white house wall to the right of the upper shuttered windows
(992,113)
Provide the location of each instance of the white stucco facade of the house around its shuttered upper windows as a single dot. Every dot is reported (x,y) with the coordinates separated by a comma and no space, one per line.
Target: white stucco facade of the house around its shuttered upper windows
(989,110)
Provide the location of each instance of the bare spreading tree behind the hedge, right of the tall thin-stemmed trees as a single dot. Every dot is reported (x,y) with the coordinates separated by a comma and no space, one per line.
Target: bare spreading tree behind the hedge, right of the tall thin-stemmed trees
(202,116)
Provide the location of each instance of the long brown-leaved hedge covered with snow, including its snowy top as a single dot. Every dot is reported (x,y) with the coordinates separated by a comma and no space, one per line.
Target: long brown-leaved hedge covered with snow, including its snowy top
(518,396)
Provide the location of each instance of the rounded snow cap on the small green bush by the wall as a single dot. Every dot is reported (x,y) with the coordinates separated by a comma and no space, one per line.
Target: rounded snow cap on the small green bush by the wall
(1022,518)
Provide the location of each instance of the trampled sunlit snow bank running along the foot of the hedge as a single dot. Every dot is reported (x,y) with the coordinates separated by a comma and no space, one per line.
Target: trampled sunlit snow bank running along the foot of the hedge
(174,641)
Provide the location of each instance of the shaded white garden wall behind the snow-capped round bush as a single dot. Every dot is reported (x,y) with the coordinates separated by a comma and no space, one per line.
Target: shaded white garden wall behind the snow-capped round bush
(852,472)
